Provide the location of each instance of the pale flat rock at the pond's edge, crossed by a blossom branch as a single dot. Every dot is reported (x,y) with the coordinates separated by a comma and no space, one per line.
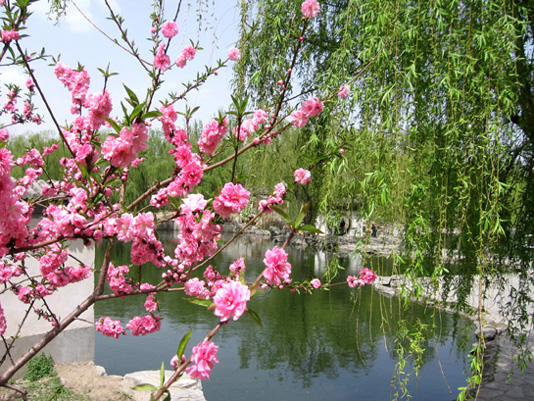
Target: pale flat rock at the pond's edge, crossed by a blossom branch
(185,388)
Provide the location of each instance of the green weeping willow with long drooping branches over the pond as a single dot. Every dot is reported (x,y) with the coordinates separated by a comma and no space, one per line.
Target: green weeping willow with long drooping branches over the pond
(439,135)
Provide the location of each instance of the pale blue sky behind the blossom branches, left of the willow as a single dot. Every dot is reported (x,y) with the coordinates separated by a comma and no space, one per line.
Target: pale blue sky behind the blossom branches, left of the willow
(75,41)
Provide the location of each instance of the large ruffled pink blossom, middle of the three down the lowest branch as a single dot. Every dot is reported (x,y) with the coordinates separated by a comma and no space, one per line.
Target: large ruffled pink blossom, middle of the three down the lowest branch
(231,300)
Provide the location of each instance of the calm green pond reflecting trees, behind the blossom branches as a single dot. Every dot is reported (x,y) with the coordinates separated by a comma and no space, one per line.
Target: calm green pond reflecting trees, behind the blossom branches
(337,344)
